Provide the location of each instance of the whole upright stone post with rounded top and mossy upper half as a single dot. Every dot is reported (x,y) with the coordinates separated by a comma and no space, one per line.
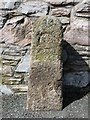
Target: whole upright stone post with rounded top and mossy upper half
(45,83)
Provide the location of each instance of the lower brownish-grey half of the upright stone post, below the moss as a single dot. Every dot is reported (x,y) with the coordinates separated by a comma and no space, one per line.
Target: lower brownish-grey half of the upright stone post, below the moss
(45,87)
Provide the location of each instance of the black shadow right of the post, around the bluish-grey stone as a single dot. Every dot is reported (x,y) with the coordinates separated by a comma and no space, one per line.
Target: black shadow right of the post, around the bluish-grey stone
(74,60)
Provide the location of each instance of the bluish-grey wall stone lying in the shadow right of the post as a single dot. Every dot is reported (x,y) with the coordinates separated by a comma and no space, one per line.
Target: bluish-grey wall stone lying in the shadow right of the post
(77,79)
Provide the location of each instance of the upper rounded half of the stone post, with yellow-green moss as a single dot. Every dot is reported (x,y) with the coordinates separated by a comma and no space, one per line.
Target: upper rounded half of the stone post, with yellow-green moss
(47,37)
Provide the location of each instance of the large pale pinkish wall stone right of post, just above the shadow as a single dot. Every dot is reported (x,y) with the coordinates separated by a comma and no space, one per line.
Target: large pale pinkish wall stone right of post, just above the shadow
(79,28)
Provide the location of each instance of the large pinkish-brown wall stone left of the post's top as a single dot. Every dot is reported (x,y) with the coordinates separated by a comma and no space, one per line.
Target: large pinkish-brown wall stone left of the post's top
(17,30)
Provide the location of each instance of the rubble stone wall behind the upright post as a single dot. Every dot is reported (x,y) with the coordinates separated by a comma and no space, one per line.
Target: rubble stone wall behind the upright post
(16,23)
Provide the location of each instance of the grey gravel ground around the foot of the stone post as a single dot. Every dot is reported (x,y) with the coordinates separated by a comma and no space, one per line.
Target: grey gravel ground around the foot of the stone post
(14,106)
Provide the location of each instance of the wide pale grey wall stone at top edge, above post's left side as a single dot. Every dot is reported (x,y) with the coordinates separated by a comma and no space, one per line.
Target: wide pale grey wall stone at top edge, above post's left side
(34,8)
